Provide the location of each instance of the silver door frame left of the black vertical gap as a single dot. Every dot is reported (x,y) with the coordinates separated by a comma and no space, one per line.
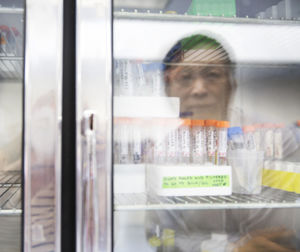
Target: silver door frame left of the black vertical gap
(42,125)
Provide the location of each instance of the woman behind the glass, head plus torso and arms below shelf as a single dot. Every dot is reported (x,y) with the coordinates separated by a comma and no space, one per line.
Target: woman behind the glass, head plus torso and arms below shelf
(198,70)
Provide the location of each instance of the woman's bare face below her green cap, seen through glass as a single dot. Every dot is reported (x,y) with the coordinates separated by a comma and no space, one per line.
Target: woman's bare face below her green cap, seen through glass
(204,89)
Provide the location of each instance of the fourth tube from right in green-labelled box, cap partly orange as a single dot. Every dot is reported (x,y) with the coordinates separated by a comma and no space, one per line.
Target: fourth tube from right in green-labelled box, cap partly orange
(184,141)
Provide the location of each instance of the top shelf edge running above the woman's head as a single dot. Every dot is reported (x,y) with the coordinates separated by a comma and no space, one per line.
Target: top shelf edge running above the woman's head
(189,18)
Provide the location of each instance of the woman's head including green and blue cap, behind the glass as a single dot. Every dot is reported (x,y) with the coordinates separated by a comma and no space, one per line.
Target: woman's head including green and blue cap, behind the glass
(199,71)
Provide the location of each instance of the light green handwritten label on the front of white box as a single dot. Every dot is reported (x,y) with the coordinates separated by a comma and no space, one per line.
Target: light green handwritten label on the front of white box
(195,181)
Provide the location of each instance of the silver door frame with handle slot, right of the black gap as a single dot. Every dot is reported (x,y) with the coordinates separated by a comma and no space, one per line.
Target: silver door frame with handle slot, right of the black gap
(94,125)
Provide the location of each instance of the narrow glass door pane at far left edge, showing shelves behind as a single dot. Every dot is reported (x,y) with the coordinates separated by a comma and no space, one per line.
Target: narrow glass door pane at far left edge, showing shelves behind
(11,113)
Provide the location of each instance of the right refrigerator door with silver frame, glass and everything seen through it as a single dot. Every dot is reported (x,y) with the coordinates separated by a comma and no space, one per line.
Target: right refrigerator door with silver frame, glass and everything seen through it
(188,131)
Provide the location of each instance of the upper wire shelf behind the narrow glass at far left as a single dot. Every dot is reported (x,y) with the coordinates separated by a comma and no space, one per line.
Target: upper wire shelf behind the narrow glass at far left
(11,67)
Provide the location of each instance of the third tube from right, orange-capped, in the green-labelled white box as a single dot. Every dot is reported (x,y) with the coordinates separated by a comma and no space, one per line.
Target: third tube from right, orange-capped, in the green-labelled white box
(198,142)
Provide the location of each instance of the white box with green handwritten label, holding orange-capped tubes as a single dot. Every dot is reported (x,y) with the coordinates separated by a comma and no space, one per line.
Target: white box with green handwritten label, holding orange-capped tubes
(188,180)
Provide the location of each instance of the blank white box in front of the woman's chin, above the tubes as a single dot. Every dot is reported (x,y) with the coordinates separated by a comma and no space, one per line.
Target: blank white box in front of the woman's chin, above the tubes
(146,107)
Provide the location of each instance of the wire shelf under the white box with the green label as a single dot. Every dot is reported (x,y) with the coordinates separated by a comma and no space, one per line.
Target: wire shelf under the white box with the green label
(269,198)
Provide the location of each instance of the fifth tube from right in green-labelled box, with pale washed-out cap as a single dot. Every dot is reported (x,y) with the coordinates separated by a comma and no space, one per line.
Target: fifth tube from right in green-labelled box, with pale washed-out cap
(172,140)
